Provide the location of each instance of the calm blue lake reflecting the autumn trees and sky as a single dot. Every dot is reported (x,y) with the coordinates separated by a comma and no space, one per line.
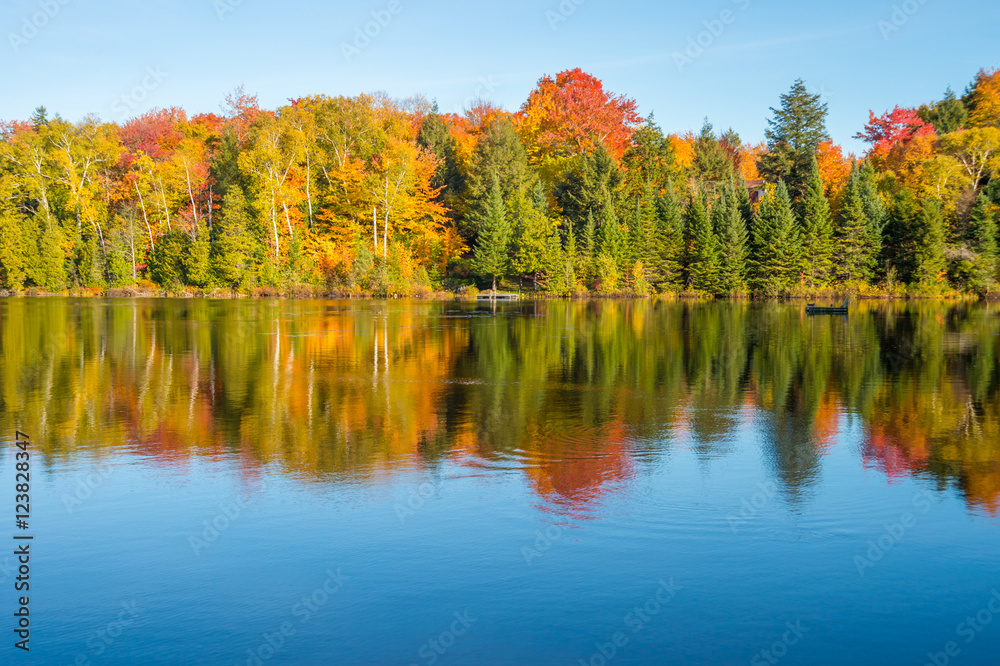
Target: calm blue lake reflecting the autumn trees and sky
(597,483)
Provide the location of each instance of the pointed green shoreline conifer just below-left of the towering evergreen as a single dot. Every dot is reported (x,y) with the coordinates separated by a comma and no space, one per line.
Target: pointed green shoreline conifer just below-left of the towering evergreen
(776,260)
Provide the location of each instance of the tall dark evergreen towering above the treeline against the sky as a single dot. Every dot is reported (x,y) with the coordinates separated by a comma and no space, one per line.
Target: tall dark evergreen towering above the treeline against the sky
(793,135)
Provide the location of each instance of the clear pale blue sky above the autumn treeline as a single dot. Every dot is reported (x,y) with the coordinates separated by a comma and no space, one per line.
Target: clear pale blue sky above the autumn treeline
(87,54)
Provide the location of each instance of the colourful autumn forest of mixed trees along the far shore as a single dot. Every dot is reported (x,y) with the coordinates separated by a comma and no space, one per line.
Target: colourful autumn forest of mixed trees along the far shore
(573,194)
